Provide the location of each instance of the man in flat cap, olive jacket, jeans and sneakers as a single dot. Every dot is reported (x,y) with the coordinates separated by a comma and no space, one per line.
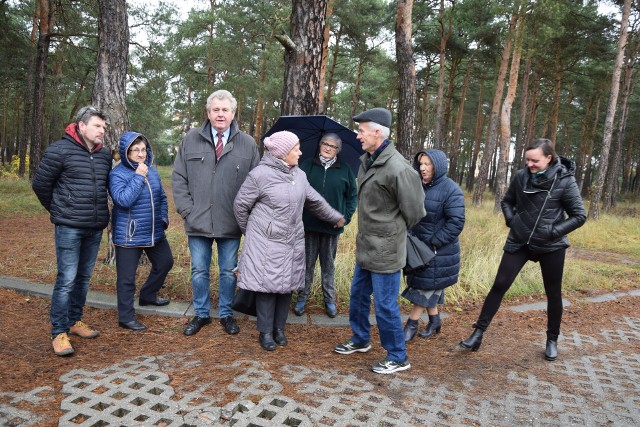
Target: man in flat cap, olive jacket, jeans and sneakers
(390,200)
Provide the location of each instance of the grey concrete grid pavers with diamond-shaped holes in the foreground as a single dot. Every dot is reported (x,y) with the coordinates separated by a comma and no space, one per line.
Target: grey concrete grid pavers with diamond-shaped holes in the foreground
(602,388)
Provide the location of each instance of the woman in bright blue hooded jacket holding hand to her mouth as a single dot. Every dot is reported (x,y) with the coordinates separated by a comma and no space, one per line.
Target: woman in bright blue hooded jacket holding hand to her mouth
(140,216)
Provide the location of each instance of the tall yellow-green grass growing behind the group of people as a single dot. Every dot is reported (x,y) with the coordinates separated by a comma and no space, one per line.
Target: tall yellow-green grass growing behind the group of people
(607,255)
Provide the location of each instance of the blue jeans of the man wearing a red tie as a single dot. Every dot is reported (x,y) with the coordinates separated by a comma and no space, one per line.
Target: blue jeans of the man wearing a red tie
(201,250)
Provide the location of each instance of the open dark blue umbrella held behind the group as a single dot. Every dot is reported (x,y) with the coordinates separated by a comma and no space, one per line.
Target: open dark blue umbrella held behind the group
(309,129)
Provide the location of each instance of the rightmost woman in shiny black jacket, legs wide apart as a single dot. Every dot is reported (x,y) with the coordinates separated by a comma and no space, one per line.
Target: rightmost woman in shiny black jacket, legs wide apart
(541,206)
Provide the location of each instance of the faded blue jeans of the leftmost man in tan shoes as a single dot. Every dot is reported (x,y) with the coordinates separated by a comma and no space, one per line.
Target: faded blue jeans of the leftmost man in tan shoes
(76,252)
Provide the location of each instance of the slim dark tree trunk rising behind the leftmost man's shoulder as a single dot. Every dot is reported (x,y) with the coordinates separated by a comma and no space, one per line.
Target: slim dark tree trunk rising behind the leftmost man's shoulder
(45,26)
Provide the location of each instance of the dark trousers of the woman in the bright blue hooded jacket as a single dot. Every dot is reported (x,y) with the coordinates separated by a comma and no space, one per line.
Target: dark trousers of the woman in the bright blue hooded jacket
(126,266)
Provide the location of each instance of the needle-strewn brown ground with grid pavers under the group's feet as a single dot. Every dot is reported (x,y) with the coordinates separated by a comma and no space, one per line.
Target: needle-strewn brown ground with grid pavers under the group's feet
(216,379)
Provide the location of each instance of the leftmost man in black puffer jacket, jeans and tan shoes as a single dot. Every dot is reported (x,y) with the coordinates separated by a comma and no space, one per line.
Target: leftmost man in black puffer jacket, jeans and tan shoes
(71,183)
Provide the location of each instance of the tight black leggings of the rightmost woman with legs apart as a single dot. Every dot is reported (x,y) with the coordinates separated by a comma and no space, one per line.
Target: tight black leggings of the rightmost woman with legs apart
(552,267)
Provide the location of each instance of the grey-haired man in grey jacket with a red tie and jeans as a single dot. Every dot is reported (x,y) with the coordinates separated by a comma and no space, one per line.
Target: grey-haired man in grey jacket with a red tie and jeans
(211,165)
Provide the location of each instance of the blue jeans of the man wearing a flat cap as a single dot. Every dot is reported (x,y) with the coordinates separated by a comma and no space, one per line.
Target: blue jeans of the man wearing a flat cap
(385,289)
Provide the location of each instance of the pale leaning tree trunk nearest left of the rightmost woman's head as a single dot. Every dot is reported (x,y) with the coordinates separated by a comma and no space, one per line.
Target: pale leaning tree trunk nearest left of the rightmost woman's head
(505,119)
